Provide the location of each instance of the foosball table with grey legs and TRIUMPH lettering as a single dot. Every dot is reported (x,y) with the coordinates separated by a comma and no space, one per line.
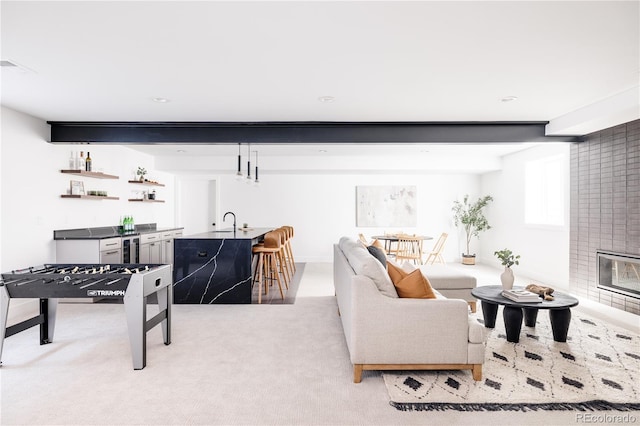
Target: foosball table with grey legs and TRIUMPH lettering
(133,283)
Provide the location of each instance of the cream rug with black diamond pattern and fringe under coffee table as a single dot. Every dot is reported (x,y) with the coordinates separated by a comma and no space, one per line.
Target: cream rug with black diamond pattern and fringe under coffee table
(598,368)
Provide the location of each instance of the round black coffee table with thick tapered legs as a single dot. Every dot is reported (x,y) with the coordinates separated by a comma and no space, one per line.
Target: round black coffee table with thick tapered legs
(559,312)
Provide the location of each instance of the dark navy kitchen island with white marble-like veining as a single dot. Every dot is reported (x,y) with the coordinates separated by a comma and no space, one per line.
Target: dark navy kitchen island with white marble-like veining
(215,267)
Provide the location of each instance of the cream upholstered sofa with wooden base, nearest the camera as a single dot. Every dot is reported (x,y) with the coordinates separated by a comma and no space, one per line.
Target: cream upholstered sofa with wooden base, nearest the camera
(385,332)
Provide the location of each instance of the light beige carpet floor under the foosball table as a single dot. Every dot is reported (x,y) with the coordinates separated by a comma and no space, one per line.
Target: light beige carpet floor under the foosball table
(227,364)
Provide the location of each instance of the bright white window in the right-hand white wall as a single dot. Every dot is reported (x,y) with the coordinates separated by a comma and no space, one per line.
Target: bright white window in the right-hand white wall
(544,191)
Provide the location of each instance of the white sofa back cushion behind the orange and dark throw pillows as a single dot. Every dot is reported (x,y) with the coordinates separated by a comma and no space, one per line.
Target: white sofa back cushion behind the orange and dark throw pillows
(365,264)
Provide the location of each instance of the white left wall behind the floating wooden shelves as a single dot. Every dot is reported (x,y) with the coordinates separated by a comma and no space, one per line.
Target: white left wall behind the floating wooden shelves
(31,185)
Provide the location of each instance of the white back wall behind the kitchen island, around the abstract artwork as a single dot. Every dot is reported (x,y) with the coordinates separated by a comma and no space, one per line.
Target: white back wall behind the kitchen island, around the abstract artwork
(322,207)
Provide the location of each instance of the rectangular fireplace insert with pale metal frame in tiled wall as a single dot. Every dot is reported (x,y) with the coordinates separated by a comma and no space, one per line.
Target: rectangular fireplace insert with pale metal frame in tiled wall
(619,273)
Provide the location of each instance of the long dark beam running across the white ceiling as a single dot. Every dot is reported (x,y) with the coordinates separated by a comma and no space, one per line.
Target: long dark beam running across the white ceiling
(299,132)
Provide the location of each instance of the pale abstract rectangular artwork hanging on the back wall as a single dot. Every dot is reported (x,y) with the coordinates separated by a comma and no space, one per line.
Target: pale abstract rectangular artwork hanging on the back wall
(378,206)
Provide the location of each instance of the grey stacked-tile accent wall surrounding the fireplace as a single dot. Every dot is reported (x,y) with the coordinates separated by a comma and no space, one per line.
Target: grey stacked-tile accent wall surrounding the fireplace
(605,207)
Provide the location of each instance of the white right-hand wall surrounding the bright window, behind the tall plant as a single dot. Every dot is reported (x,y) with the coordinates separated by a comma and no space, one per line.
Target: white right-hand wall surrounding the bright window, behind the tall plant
(544,250)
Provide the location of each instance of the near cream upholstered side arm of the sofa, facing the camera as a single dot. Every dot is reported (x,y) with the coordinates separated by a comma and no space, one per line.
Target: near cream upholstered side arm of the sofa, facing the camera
(406,331)
